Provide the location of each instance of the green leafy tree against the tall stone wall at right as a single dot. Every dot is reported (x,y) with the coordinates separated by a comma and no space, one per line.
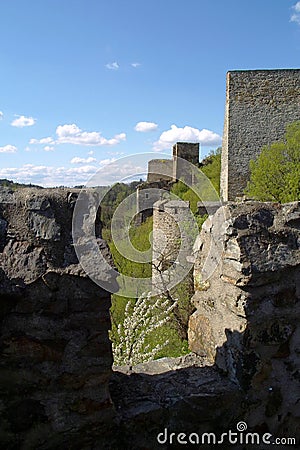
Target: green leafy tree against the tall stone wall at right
(275,174)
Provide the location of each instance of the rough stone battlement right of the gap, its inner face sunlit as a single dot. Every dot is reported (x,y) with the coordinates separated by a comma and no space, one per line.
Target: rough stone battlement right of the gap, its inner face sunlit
(247,317)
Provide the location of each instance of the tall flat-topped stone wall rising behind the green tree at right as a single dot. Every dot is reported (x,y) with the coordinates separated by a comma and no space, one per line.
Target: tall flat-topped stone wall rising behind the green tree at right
(259,105)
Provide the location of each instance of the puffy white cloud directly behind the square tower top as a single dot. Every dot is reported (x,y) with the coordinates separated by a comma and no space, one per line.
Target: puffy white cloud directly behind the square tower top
(186,134)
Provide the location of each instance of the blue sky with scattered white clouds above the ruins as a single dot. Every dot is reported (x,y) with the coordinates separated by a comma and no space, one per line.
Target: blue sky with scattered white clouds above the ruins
(84,82)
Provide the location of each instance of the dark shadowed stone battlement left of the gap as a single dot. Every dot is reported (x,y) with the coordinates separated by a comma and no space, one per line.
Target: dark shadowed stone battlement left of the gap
(55,353)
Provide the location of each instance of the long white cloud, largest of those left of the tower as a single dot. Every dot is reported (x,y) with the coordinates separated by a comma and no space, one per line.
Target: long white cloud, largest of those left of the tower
(72,134)
